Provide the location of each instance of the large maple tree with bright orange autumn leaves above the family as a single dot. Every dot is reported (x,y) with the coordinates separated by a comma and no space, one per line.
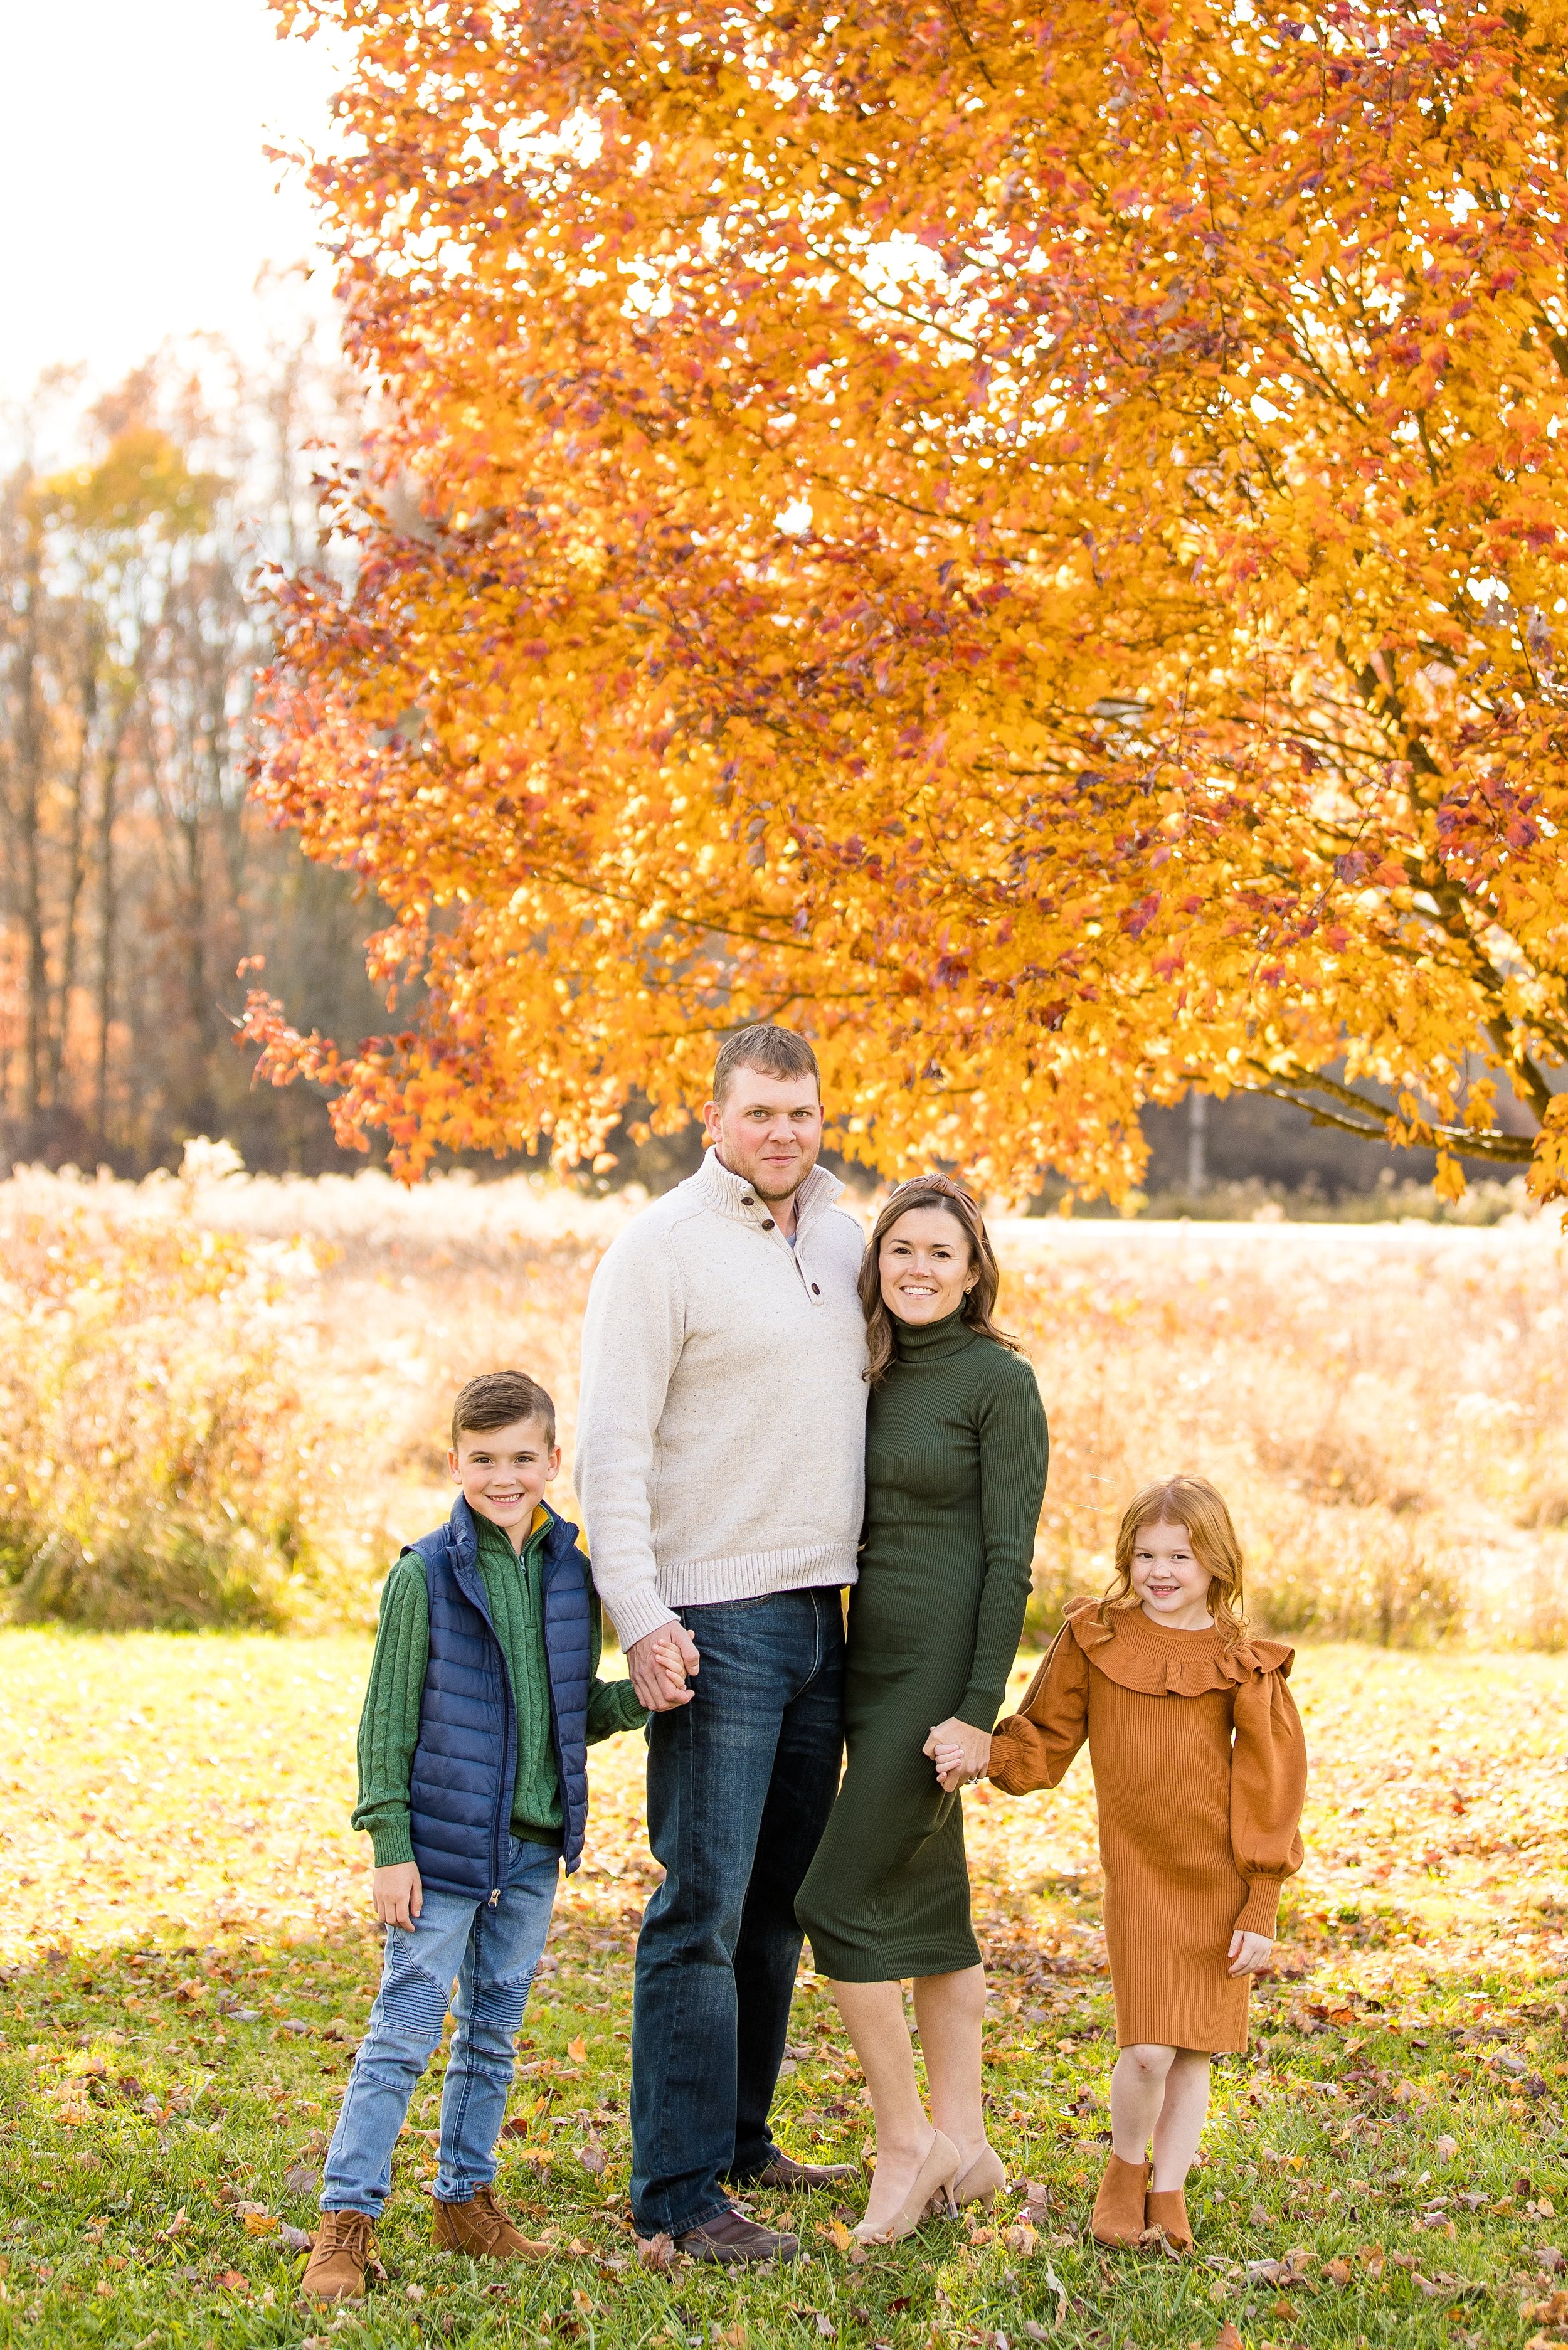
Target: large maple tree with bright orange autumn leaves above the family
(1026,542)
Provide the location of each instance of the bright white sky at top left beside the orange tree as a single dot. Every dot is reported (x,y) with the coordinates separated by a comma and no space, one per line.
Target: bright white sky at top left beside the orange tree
(133,182)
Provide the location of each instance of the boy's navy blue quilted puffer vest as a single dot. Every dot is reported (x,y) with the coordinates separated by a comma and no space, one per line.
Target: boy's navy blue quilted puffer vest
(467,1757)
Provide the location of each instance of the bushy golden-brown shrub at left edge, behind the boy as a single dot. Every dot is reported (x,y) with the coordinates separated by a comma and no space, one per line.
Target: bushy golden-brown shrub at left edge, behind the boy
(154,1446)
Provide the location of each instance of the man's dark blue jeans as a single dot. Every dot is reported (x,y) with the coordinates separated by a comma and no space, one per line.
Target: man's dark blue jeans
(739,1792)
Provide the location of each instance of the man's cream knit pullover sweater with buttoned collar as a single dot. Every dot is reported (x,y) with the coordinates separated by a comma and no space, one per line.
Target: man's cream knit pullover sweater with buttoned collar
(721,1444)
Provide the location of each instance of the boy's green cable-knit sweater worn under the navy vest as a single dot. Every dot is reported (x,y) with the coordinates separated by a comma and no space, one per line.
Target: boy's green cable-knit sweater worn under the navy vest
(389,1724)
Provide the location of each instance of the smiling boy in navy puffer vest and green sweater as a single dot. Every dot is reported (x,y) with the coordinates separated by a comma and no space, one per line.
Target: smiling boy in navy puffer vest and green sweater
(483,1700)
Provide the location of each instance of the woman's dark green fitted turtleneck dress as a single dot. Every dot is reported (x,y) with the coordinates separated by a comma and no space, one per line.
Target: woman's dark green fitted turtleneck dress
(956,1472)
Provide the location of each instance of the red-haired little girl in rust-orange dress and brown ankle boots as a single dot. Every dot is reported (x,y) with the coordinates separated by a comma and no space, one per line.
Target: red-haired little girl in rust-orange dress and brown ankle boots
(1200,1773)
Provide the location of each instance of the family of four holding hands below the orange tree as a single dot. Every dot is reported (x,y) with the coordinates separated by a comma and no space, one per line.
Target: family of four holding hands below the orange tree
(775,1414)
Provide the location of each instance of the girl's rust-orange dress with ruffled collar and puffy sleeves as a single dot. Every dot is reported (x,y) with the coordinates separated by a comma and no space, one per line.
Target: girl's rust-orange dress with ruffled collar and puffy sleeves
(1200,1773)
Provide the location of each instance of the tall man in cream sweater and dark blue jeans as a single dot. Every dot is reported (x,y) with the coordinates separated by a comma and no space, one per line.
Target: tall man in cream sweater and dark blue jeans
(721,1468)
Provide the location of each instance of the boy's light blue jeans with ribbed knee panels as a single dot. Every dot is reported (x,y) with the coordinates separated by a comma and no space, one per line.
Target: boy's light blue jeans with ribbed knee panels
(492,1956)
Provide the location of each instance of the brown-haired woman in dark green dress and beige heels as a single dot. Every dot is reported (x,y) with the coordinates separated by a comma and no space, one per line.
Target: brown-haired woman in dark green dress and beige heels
(956,1472)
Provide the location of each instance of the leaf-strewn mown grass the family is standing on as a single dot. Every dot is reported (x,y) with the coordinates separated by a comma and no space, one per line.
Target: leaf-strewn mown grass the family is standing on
(187,1968)
